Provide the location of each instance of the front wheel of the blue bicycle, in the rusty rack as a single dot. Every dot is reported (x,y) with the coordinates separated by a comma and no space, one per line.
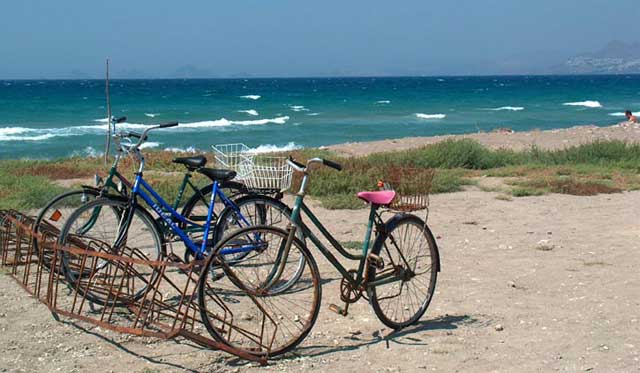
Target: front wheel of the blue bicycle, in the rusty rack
(108,226)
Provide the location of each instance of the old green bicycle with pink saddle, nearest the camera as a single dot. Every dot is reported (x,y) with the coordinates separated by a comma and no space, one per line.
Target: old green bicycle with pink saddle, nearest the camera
(397,274)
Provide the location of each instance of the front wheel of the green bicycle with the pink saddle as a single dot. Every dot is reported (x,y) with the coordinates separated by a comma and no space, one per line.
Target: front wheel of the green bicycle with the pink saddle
(241,310)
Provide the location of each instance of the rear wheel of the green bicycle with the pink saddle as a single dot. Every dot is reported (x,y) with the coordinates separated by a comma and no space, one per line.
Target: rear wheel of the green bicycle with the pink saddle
(402,284)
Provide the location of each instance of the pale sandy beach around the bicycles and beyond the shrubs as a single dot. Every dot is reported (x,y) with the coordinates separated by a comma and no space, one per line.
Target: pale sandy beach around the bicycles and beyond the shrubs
(530,284)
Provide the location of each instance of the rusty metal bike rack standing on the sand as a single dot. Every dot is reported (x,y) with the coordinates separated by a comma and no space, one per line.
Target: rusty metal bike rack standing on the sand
(168,307)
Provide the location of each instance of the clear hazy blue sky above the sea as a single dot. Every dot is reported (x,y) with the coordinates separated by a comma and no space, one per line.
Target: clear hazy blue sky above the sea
(259,38)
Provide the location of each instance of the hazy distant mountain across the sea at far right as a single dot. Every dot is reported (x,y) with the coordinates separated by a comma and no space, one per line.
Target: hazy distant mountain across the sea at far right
(617,57)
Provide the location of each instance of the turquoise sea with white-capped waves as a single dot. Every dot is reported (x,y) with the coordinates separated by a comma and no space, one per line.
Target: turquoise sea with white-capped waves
(51,119)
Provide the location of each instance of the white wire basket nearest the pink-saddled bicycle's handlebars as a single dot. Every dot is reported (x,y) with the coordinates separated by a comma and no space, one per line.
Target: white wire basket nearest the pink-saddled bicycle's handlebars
(266,173)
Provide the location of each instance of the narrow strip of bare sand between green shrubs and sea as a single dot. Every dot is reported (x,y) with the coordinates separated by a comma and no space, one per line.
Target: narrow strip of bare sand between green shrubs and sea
(552,139)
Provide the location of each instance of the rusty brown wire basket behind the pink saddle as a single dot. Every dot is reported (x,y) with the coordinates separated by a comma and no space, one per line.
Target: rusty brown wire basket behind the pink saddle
(412,187)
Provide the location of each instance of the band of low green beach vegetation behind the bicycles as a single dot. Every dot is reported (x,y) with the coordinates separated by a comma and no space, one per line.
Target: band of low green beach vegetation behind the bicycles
(598,167)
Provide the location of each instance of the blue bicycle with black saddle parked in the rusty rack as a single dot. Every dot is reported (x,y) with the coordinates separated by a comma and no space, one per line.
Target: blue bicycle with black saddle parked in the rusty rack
(123,226)
